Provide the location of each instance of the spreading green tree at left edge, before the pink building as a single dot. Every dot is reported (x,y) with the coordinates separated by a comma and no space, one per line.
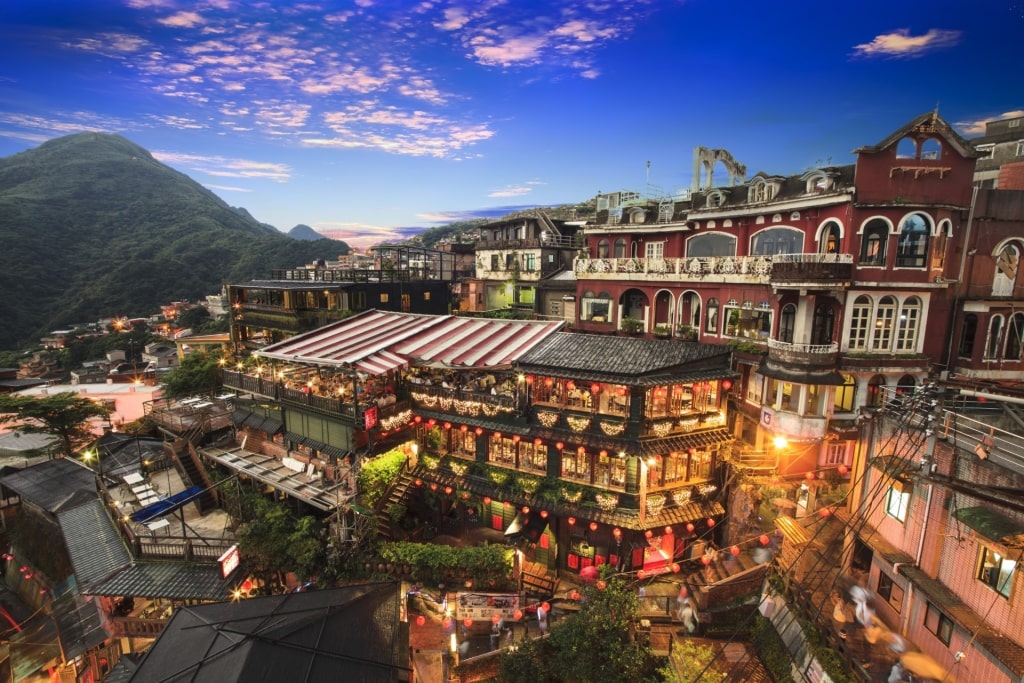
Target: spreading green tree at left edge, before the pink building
(63,415)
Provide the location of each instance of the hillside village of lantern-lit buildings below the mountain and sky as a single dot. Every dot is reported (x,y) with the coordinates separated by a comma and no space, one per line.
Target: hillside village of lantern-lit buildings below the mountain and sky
(783,411)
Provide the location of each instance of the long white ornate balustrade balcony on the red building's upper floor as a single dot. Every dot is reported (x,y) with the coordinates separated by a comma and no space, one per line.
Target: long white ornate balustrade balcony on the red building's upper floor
(724,270)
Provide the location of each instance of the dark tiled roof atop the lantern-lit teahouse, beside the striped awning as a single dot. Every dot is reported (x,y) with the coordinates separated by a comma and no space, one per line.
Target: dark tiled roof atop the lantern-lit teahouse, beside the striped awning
(596,357)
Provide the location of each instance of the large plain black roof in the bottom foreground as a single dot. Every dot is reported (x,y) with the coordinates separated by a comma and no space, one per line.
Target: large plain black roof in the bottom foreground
(353,634)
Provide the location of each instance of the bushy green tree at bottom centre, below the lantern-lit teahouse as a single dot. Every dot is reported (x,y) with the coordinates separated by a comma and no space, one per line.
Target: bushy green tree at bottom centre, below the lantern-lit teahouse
(598,644)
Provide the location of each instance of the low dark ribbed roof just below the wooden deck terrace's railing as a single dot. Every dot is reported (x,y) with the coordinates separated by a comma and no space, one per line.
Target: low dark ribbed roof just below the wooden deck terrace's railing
(170,581)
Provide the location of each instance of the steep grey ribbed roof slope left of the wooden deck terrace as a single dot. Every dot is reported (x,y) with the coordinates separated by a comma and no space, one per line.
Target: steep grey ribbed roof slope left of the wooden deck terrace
(94,544)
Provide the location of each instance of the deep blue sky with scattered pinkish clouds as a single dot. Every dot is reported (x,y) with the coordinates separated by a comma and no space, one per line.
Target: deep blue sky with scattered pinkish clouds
(366,119)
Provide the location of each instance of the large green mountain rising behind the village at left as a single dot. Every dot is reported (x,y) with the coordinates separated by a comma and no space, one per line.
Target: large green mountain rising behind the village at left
(92,226)
